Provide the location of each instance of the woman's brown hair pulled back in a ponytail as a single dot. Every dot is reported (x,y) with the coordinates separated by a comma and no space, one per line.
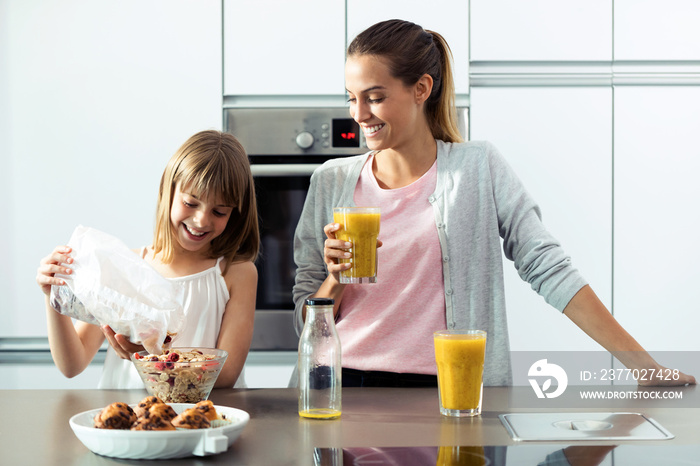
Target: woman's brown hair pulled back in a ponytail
(412,52)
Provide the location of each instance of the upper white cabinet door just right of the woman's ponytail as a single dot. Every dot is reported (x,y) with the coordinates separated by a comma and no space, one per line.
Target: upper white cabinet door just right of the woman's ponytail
(541,30)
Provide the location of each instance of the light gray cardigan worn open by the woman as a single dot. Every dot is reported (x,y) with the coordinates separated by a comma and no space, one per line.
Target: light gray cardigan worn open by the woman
(477,201)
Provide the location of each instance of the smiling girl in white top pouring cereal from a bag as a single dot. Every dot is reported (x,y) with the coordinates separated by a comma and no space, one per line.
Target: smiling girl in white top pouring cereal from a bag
(206,237)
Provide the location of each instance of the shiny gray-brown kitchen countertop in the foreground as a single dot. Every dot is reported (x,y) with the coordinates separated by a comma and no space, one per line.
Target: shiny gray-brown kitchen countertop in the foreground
(384,421)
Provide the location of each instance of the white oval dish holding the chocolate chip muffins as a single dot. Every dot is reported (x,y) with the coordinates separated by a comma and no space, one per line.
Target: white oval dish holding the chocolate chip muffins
(159,444)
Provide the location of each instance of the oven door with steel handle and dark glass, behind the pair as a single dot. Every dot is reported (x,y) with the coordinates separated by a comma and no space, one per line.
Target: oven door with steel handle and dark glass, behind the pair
(281,190)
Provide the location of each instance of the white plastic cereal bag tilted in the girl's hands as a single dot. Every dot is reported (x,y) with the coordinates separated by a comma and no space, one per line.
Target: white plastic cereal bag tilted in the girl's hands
(111,285)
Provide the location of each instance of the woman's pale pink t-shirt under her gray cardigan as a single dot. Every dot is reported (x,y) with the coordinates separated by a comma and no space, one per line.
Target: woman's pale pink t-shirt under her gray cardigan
(389,325)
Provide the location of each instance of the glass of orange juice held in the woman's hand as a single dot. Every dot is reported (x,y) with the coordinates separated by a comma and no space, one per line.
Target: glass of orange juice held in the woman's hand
(359,226)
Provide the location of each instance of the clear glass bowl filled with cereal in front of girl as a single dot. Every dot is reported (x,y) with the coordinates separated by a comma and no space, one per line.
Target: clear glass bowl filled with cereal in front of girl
(180,375)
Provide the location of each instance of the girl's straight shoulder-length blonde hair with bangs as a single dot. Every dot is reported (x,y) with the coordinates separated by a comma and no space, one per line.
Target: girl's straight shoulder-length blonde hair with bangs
(212,163)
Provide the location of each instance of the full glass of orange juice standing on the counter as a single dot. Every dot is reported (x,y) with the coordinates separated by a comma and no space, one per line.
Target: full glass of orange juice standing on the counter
(459,355)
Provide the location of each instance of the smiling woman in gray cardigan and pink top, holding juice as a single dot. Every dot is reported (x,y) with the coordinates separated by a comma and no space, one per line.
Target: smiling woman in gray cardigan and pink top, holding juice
(446,205)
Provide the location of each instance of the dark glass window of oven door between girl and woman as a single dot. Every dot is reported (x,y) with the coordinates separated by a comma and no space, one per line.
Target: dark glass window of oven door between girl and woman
(280,201)
